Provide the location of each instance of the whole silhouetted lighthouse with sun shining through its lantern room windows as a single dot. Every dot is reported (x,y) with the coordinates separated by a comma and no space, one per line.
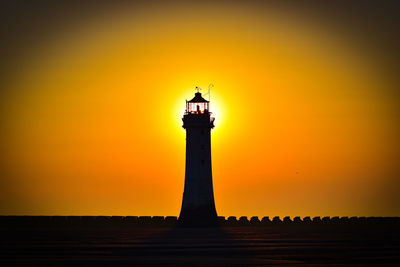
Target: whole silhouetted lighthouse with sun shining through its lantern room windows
(198,207)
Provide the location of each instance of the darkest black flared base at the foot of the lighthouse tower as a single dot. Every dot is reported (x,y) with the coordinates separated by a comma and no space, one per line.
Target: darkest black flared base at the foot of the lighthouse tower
(202,216)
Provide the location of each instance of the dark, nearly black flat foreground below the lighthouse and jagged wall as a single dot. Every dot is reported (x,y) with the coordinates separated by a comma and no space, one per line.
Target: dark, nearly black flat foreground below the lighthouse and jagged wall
(126,245)
